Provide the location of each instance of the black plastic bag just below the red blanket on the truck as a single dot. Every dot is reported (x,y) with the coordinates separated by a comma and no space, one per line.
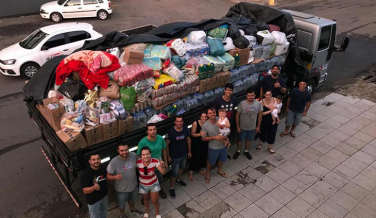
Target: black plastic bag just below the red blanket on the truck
(72,89)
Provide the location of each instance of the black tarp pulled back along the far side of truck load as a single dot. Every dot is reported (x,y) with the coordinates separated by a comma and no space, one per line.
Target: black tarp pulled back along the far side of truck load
(242,14)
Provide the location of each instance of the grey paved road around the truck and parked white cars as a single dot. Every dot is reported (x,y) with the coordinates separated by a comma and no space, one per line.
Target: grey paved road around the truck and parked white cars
(29,187)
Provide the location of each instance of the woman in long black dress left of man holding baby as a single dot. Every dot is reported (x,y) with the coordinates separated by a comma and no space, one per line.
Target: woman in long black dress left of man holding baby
(199,148)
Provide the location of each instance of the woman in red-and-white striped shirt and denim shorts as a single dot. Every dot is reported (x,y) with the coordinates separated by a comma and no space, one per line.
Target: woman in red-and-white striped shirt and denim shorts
(149,185)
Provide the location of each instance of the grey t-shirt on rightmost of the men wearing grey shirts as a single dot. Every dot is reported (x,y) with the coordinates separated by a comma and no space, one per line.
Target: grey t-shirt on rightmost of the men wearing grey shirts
(248,114)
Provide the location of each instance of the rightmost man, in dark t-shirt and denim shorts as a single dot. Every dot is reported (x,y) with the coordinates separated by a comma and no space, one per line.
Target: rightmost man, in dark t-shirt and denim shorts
(297,106)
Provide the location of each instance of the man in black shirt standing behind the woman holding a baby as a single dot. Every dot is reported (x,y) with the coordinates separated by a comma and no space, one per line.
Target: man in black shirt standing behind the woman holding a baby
(274,83)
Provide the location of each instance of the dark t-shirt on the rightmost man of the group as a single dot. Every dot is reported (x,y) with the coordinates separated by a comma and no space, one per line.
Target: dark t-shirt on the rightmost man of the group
(299,100)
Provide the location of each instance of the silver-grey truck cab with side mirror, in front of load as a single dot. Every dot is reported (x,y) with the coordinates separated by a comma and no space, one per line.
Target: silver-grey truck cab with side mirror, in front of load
(316,40)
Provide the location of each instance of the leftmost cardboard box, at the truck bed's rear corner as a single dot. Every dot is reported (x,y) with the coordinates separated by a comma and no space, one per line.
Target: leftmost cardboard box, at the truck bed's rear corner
(53,116)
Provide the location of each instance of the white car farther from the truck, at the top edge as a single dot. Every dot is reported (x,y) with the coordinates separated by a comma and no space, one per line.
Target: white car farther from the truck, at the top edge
(63,9)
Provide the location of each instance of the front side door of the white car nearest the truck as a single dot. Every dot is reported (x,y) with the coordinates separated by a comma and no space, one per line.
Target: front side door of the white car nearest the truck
(55,46)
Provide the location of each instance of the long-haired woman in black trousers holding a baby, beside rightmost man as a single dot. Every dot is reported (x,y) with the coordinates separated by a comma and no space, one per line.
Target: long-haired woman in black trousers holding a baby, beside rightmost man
(268,130)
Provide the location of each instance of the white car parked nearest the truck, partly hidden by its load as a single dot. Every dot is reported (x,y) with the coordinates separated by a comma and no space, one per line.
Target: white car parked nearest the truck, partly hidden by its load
(26,57)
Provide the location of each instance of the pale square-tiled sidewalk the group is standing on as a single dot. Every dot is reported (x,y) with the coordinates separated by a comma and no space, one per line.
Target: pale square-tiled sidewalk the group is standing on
(328,170)
